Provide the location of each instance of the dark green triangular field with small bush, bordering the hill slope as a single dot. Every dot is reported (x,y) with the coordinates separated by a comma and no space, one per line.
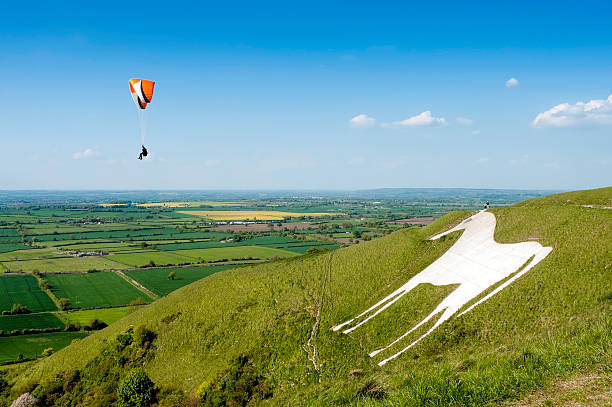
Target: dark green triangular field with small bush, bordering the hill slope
(157,280)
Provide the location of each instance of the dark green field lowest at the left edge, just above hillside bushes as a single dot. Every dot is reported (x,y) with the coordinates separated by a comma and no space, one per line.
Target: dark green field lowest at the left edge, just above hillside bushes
(31,346)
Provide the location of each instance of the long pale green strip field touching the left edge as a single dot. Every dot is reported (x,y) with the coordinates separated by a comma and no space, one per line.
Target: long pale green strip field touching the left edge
(62,264)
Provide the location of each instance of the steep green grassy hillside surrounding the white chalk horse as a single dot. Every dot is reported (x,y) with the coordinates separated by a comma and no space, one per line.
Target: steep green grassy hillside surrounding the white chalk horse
(263,332)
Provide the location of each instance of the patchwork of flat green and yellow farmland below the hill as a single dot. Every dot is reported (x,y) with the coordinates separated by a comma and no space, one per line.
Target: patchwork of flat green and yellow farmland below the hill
(67,269)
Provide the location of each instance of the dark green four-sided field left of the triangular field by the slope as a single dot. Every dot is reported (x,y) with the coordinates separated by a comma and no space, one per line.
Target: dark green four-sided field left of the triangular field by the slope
(92,290)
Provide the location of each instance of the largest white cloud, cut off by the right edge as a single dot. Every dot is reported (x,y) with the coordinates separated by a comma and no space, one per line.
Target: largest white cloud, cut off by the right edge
(592,113)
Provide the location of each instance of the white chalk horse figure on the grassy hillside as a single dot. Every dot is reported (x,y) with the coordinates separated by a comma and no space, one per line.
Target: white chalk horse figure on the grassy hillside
(475,262)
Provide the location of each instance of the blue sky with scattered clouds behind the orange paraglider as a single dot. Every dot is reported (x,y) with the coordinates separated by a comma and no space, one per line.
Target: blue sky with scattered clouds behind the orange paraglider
(262,94)
